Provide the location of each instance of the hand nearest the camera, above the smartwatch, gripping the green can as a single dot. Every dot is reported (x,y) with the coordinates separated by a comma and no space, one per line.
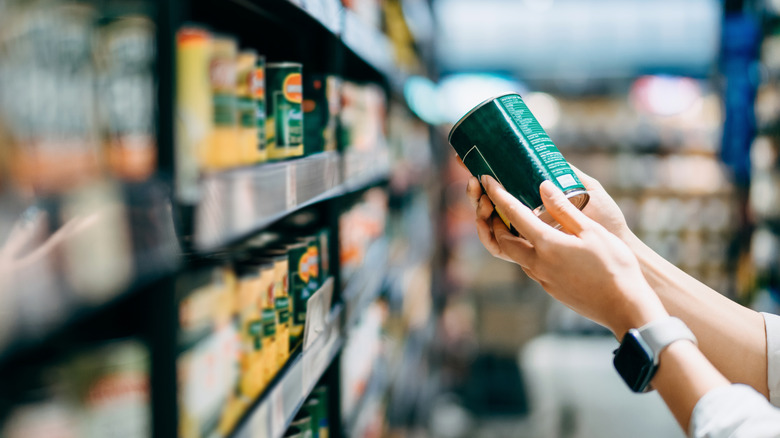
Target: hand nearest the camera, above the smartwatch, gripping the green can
(589,269)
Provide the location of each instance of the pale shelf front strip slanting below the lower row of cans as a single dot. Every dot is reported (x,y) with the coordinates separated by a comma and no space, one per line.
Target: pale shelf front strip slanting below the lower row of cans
(275,411)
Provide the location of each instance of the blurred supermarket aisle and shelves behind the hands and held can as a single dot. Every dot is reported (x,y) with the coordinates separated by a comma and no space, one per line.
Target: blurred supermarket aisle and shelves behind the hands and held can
(242,217)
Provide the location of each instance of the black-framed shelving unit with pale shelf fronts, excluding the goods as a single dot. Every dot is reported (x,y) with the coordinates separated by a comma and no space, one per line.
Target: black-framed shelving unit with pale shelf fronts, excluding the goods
(169,237)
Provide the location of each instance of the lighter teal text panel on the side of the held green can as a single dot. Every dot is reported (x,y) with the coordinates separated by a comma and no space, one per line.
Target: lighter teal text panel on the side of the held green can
(537,139)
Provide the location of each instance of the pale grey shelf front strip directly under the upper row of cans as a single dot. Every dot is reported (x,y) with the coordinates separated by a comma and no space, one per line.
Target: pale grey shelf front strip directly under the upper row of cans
(261,195)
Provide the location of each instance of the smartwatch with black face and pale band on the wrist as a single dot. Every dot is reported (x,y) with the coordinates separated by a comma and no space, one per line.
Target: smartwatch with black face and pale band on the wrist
(636,360)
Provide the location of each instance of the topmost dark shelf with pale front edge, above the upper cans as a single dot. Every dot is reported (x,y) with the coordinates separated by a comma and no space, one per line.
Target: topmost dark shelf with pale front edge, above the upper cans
(331,28)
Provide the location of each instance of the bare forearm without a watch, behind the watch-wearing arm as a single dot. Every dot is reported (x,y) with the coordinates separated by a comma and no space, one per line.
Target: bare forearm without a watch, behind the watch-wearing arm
(731,336)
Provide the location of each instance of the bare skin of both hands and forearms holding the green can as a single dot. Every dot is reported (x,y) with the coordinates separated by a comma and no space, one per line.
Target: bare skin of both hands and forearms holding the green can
(618,282)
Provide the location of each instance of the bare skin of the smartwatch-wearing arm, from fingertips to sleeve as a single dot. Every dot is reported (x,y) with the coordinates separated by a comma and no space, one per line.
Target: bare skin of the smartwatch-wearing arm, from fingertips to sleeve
(602,281)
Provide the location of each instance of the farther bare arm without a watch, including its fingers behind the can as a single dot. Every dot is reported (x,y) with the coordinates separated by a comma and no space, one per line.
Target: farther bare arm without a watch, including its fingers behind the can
(731,336)
